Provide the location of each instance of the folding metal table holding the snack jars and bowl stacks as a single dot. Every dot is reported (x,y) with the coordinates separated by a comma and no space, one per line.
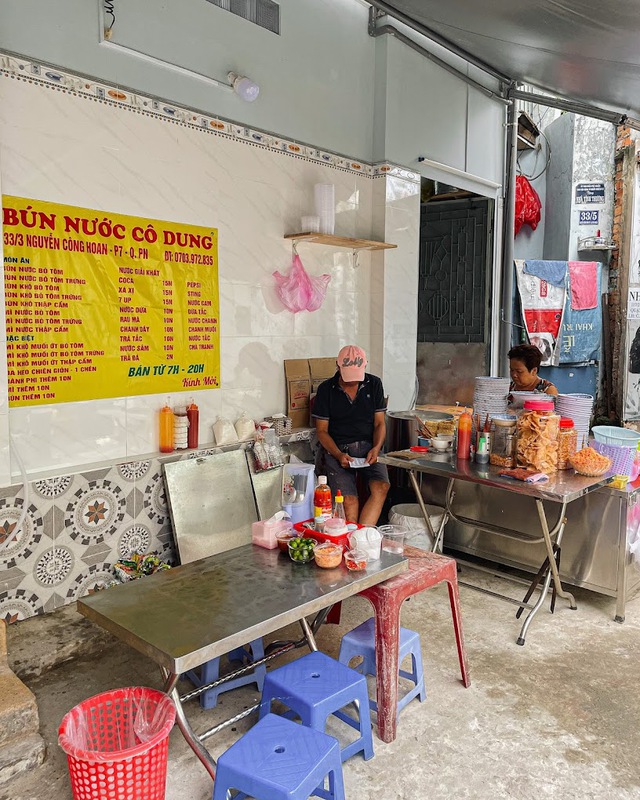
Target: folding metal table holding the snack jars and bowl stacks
(561,489)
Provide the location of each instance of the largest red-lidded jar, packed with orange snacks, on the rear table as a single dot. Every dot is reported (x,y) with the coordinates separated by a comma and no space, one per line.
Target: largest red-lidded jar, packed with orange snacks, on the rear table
(537,436)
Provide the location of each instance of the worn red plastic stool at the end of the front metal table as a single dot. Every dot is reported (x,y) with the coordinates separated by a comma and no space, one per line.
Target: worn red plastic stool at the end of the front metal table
(425,570)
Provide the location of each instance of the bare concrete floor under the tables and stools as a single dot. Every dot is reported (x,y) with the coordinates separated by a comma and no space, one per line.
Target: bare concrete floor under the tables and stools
(559,717)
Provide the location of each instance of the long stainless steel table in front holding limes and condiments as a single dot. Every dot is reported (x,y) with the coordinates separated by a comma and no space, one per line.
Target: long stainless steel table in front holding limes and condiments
(186,616)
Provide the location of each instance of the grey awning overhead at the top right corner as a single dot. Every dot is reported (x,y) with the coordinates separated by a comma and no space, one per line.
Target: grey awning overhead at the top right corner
(580,49)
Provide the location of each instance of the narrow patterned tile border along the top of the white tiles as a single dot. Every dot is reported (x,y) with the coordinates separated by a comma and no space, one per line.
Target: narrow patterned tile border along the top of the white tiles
(68,83)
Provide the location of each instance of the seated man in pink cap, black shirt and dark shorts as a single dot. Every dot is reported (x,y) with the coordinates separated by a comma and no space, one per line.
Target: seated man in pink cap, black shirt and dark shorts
(349,414)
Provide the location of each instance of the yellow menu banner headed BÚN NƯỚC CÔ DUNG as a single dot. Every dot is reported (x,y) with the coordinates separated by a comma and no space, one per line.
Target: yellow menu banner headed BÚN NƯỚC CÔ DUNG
(106,305)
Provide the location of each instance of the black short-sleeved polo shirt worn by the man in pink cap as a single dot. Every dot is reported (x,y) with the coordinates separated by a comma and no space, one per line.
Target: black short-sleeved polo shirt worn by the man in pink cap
(349,421)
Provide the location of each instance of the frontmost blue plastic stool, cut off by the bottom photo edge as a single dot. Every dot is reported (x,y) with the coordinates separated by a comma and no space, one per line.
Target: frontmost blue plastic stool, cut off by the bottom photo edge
(280,760)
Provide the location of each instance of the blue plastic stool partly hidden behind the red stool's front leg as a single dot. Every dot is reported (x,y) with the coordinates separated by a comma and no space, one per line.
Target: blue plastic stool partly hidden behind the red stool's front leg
(360,642)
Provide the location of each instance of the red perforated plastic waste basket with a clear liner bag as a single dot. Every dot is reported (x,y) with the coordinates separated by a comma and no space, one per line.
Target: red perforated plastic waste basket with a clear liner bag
(117,744)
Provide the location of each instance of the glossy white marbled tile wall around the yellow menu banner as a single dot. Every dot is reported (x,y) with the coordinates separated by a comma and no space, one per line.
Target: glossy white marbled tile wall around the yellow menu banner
(66,149)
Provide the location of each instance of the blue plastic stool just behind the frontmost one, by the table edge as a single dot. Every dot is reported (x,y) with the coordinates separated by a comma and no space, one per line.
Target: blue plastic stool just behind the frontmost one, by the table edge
(314,687)
